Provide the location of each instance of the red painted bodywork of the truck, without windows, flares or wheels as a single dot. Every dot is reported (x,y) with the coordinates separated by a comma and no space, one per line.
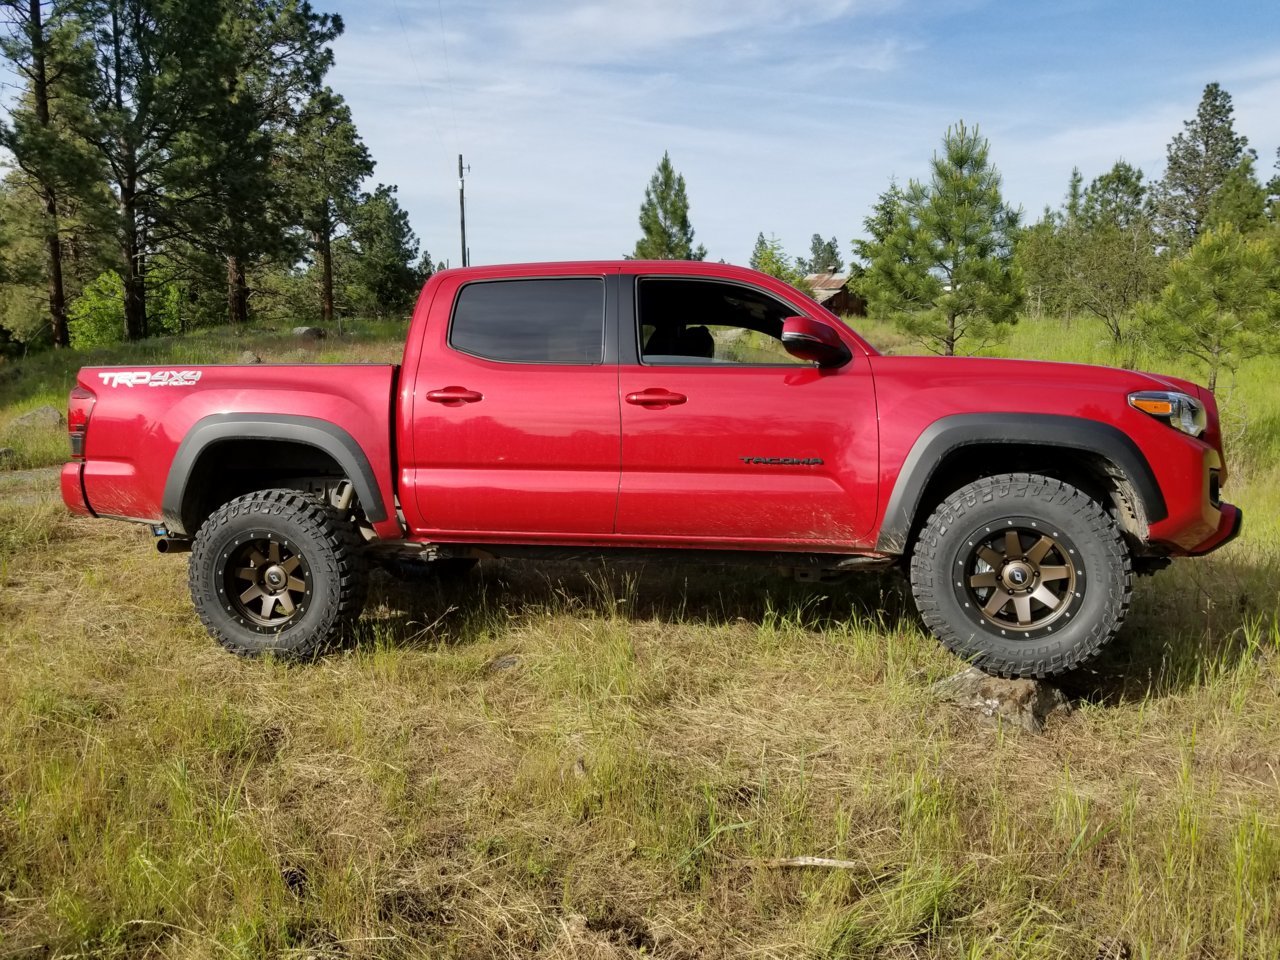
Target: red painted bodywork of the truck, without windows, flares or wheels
(556,455)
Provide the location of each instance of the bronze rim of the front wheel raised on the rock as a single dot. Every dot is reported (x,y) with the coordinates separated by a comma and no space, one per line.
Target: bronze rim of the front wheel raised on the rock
(1020,578)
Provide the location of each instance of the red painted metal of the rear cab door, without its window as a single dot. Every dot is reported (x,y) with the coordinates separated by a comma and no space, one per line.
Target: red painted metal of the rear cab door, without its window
(537,456)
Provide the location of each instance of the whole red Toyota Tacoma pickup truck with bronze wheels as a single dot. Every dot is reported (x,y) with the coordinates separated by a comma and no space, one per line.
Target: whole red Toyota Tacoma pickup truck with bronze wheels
(670,409)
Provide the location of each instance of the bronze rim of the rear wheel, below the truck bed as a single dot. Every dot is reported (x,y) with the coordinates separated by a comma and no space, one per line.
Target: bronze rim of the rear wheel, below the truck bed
(268,583)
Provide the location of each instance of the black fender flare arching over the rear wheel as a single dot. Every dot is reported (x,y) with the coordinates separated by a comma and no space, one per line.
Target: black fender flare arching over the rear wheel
(310,432)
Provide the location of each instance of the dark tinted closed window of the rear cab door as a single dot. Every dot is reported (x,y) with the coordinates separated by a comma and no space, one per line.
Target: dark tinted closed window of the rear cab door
(532,322)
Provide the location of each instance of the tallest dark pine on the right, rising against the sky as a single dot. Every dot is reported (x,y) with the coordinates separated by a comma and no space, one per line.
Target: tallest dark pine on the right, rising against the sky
(1200,161)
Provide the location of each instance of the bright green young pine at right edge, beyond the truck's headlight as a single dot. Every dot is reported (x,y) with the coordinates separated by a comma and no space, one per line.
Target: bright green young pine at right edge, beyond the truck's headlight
(1222,304)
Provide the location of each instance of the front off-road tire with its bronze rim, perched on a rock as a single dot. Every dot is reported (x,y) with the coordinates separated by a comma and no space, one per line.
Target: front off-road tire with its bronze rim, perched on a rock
(956,584)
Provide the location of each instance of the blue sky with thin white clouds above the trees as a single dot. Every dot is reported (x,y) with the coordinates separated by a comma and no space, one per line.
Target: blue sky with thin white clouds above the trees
(785,117)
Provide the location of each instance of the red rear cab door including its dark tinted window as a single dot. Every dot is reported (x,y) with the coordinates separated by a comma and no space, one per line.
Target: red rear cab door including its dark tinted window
(515,412)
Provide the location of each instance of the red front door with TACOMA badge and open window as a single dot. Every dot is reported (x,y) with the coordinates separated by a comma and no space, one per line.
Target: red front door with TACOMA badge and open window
(728,438)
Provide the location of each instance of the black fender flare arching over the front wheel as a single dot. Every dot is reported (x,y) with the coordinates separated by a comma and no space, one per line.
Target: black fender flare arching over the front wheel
(944,437)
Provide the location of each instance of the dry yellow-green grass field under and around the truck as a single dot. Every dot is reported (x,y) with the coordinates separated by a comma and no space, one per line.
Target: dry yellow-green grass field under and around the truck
(612,762)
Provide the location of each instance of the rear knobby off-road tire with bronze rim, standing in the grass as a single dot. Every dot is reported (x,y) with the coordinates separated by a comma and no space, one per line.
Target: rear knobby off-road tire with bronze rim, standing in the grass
(332,579)
